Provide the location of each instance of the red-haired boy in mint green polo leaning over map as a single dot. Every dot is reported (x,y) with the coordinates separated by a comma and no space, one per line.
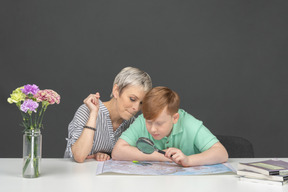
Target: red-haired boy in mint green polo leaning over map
(185,139)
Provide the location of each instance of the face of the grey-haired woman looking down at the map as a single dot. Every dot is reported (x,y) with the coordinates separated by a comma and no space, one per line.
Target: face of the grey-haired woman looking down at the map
(129,102)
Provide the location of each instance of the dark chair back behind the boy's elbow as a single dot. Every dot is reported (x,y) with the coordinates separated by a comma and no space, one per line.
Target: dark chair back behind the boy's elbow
(237,147)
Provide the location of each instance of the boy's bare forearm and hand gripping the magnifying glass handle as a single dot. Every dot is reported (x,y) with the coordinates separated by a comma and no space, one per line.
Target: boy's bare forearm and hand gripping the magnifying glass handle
(214,155)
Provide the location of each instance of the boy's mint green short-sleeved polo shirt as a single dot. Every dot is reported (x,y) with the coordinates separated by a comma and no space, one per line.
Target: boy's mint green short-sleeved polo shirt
(188,134)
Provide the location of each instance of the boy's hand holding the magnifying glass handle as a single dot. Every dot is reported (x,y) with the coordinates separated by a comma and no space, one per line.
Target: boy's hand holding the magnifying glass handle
(177,156)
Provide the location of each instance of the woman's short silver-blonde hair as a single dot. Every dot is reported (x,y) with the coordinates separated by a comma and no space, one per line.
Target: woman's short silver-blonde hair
(132,76)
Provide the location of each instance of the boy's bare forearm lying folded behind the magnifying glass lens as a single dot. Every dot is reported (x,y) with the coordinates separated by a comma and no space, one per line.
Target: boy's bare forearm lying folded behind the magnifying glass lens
(123,151)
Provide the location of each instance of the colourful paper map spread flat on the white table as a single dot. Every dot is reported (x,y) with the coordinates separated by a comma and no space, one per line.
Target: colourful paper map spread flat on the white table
(159,168)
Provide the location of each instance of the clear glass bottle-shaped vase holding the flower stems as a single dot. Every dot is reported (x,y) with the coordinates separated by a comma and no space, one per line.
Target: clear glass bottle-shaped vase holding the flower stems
(32,152)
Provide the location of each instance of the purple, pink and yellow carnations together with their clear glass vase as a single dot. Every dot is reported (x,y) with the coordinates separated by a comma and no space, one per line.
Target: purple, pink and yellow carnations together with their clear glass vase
(28,98)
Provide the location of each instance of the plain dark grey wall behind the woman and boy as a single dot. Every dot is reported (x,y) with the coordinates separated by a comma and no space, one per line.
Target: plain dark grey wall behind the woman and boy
(226,59)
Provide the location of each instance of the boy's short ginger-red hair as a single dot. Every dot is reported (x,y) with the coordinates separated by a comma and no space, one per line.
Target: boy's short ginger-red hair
(157,99)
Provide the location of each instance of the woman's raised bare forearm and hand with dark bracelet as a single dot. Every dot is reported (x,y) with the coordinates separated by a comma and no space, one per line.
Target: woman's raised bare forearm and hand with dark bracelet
(82,147)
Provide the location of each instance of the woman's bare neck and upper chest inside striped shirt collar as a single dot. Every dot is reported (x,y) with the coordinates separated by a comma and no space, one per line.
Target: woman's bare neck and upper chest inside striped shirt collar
(113,112)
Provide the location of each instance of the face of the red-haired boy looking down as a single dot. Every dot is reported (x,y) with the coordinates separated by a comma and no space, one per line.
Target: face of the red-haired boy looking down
(162,125)
